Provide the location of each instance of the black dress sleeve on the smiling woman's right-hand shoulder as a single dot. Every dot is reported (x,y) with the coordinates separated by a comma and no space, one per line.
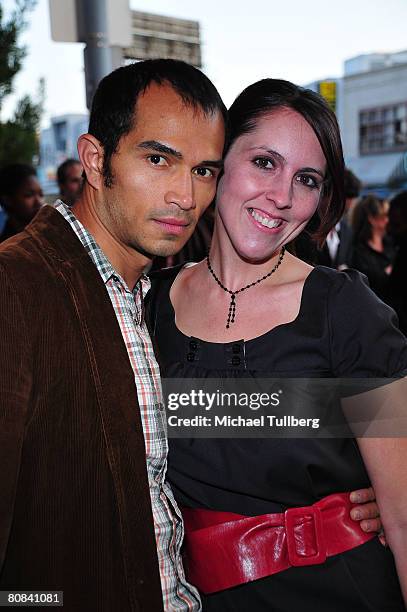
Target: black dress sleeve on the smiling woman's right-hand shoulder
(365,339)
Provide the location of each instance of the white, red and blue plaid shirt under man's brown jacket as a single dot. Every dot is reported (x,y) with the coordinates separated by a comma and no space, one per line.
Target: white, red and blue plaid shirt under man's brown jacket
(169,532)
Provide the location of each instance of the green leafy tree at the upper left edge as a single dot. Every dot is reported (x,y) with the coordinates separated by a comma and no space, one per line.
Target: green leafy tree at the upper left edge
(18,136)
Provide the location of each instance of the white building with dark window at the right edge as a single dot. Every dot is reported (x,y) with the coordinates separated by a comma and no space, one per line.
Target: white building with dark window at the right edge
(374,119)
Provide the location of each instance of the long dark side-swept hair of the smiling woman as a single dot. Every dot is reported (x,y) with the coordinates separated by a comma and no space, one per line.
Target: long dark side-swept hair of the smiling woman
(269,95)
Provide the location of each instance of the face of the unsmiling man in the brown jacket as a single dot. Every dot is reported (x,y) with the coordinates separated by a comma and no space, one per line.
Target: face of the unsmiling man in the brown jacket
(164,174)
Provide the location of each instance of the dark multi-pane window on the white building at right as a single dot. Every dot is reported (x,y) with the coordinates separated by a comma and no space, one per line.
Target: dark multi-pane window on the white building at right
(383,129)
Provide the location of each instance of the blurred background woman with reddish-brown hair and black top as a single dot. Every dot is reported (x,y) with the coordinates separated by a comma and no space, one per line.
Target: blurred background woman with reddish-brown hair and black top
(373,250)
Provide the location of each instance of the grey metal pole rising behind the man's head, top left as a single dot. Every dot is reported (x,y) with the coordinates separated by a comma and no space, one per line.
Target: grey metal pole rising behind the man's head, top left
(97,53)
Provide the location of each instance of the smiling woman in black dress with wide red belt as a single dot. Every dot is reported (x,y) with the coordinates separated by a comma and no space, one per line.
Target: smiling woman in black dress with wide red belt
(268,314)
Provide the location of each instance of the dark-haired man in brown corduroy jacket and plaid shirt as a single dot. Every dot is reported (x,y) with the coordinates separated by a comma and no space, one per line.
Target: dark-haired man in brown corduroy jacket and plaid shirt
(84,508)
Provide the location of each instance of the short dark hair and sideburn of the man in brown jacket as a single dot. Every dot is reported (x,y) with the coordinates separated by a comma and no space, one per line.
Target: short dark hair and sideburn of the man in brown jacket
(114,110)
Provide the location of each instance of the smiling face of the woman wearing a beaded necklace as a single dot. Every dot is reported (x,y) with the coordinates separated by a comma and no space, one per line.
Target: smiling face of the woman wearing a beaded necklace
(271,184)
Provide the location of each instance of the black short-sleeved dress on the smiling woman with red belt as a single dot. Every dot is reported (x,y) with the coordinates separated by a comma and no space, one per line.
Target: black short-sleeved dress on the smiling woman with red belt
(342,330)
